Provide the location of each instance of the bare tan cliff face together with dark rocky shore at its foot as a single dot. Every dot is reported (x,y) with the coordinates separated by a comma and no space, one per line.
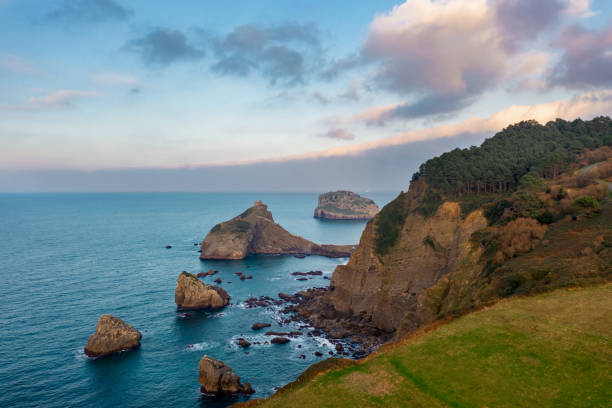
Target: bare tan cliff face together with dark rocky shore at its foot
(373,295)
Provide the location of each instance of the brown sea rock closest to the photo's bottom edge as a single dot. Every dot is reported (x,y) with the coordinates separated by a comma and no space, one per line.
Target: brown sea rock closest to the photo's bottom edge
(216,377)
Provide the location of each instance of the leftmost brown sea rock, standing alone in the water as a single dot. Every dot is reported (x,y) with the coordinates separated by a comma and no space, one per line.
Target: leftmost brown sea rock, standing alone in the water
(112,335)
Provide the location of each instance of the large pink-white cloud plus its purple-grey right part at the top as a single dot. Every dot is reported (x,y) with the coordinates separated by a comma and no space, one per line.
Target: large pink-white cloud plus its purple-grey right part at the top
(440,56)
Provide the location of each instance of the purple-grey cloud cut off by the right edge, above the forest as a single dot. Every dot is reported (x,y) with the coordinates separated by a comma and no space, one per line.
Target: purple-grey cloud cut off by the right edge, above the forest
(586,60)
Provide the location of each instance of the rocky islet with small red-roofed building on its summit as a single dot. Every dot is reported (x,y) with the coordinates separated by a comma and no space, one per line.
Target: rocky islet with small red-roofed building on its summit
(255,232)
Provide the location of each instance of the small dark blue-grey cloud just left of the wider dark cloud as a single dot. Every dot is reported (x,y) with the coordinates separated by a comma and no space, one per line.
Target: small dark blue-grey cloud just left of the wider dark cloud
(164,46)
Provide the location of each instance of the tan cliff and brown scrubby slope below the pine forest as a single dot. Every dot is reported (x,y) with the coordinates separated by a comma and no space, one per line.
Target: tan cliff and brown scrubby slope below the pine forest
(418,262)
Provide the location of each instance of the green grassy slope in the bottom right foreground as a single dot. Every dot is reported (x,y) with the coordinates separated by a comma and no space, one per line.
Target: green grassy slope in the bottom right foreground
(549,350)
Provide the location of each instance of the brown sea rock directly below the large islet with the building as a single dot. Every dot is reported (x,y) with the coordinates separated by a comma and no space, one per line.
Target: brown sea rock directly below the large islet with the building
(192,293)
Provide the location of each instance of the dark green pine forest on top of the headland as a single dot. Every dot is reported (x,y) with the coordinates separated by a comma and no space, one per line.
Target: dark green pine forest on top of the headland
(526,149)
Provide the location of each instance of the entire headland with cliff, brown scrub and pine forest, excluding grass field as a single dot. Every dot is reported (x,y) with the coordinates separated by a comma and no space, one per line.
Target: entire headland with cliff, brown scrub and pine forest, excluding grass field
(434,252)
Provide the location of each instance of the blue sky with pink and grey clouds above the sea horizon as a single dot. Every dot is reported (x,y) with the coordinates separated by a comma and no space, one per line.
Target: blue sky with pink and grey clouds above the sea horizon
(152,95)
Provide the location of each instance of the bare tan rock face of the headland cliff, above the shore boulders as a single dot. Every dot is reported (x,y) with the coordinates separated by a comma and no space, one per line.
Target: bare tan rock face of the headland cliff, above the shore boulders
(384,290)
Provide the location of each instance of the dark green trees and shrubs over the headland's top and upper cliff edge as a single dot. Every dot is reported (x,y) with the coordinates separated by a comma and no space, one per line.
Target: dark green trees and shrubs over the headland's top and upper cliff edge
(507,172)
